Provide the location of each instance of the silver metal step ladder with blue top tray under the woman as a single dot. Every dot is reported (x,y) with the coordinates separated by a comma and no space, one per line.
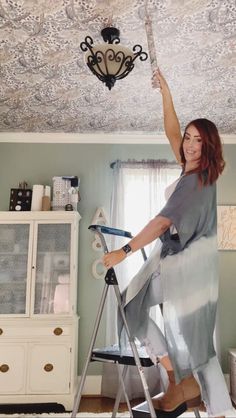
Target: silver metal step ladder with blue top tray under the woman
(136,357)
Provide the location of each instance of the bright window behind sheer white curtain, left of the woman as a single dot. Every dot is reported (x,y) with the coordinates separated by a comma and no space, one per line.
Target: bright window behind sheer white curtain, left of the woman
(138,195)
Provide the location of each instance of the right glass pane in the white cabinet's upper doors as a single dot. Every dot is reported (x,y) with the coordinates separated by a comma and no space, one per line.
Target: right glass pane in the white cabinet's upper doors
(52,279)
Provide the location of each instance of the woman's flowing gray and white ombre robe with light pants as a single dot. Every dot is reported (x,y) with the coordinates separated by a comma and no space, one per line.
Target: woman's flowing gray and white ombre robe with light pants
(182,273)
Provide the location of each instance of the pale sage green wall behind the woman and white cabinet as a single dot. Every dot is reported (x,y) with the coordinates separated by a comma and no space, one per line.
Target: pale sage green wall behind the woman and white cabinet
(38,163)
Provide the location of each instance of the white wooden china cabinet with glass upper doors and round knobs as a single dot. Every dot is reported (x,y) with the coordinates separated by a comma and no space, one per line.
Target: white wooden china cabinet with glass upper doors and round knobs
(38,307)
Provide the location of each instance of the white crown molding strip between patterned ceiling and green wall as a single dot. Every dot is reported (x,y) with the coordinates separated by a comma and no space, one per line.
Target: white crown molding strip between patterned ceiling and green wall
(92,138)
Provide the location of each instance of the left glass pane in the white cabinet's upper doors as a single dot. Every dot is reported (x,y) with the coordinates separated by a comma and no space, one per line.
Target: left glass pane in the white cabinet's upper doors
(14,242)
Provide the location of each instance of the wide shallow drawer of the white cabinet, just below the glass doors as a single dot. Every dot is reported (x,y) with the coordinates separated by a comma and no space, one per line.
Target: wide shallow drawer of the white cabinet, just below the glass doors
(35,331)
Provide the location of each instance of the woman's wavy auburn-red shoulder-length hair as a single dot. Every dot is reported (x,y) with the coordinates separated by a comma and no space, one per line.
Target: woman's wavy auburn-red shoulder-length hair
(212,162)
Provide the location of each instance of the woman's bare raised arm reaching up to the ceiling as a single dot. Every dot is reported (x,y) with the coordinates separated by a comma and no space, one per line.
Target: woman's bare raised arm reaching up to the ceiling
(171,122)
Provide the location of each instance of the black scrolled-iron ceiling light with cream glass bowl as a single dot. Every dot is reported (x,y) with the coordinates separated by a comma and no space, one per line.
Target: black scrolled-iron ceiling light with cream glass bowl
(111,61)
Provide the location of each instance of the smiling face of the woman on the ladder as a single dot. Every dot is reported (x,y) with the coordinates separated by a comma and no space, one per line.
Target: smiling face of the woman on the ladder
(192,145)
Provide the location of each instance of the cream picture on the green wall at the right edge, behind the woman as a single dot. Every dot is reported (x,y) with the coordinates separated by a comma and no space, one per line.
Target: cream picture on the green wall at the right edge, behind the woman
(226,227)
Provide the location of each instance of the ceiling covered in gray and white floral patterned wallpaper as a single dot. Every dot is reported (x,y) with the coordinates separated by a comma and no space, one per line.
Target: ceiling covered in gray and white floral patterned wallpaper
(47,87)
